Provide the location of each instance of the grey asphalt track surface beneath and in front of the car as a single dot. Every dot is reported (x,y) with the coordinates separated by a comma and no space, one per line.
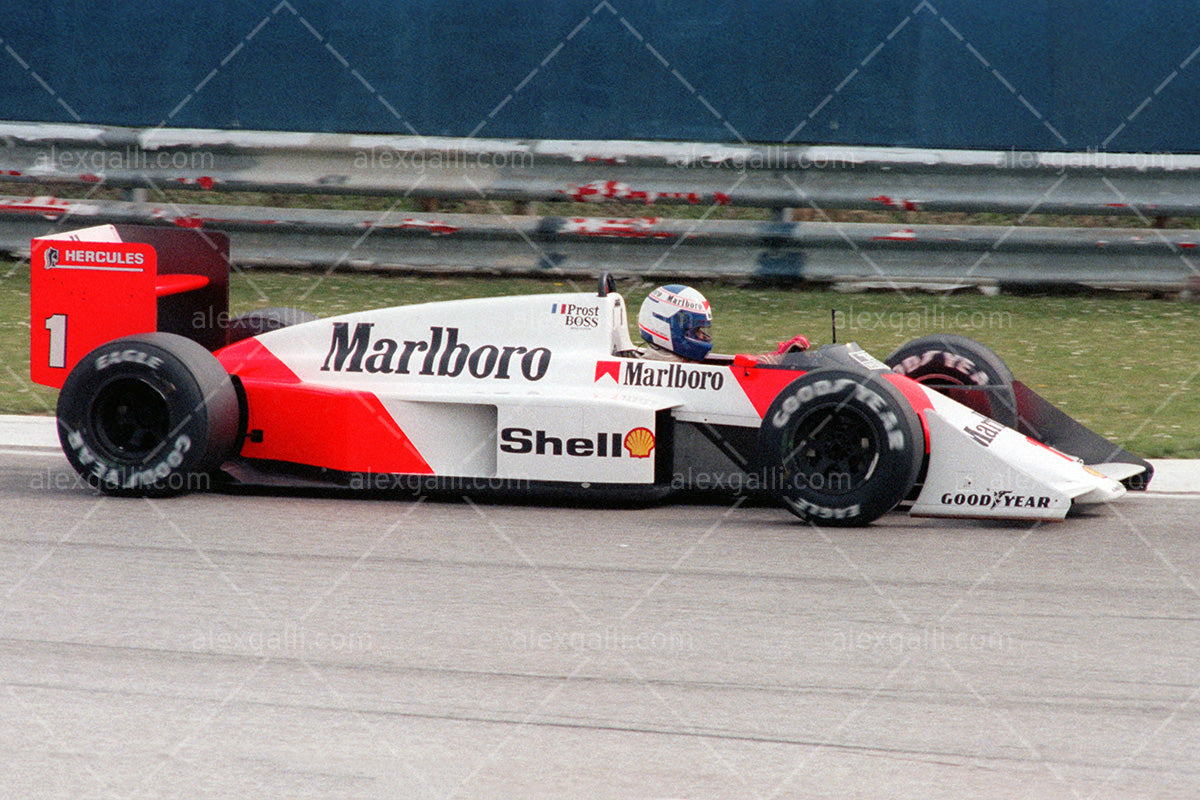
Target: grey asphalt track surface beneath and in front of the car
(260,646)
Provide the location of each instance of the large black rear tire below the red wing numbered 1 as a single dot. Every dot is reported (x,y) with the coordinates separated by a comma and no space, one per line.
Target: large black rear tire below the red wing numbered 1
(148,416)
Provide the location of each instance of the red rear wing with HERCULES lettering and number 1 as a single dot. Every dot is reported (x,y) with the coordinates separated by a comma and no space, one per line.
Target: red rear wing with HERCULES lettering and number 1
(89,287)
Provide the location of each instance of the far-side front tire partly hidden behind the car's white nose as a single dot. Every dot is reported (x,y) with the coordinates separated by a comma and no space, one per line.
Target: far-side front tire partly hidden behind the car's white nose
(963,370)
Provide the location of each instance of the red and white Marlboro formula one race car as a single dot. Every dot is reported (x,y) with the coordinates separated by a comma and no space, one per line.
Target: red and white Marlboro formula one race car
(161,393)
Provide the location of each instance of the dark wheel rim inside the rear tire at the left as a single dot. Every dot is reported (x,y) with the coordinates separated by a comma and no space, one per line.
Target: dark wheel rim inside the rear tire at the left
(130,419)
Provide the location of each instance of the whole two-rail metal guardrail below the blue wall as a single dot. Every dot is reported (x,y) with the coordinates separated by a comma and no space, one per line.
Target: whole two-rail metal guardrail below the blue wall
(650,175)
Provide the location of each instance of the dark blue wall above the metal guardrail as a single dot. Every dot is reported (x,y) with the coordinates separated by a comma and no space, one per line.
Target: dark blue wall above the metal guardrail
(1061,75)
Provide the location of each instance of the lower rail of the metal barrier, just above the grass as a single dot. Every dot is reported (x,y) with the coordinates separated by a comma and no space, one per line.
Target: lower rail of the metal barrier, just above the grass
(857,254)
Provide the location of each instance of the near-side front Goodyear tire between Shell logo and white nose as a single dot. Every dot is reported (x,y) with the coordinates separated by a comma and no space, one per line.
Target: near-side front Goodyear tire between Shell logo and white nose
(842,448)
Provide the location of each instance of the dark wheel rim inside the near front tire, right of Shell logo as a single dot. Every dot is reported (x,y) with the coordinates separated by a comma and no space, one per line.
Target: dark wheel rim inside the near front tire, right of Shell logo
(835,450)
